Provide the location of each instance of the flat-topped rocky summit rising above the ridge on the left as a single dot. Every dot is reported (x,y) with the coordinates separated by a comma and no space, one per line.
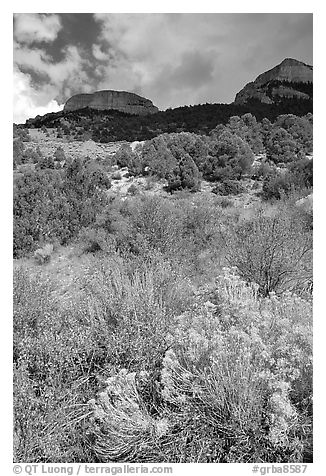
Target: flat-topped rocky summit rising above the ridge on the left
(119,100)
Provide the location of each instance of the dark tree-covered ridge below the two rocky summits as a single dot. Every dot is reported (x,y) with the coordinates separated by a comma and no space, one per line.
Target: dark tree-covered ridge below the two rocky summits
(107,126)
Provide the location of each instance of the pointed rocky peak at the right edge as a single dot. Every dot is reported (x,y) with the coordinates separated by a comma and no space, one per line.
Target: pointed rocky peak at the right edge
(289,79)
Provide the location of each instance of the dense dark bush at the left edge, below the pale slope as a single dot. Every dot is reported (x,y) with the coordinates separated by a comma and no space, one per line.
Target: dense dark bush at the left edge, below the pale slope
(52,204)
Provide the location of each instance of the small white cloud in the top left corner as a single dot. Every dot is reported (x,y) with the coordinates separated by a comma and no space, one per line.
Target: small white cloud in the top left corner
(34,27)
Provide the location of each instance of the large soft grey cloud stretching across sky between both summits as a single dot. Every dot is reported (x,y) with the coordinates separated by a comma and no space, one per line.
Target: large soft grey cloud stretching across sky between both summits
(177,59)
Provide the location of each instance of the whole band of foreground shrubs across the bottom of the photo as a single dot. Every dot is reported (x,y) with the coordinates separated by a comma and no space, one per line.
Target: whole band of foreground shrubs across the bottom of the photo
(144,371)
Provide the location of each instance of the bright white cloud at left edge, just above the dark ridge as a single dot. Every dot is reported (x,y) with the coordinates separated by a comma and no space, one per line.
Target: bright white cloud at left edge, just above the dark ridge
(28,102)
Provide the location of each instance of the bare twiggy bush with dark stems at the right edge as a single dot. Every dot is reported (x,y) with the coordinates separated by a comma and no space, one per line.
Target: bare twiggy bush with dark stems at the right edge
(273,251)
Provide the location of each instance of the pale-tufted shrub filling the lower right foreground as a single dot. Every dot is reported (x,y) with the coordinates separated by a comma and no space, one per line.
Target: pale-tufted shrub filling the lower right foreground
(235,386)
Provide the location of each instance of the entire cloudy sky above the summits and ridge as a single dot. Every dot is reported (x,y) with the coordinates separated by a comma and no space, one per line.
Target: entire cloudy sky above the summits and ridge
(173,59)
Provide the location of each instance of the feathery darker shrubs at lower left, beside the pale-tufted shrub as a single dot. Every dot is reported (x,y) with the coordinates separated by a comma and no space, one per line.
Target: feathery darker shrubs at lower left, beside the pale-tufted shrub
(62,351)
